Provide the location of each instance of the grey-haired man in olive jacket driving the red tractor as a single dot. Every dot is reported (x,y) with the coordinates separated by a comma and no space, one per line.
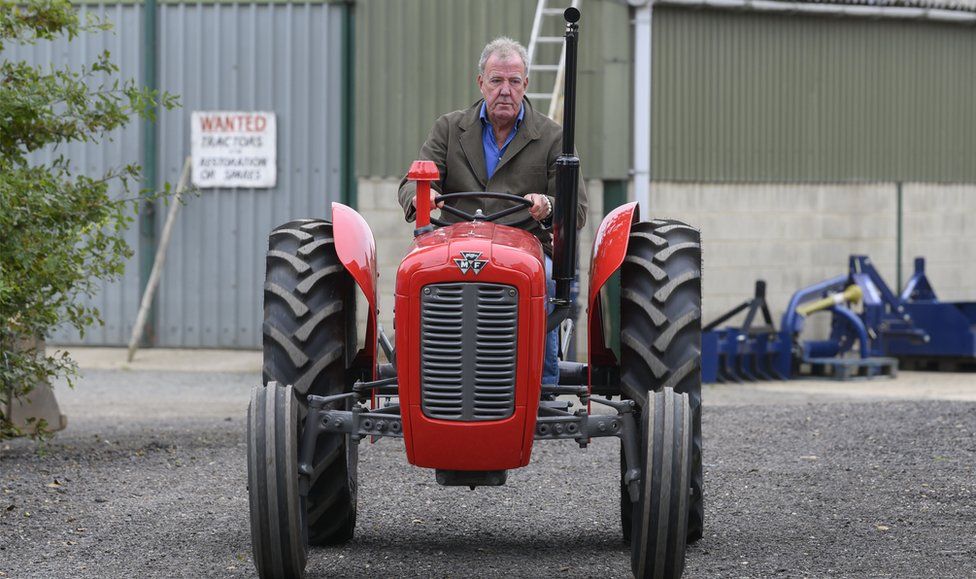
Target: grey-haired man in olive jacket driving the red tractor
(500,143)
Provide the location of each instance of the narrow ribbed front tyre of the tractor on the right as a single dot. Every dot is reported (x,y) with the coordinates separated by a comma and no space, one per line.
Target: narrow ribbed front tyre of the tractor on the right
(660,517)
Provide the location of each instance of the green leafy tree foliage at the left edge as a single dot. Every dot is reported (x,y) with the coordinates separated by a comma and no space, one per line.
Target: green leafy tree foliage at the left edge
(61,233)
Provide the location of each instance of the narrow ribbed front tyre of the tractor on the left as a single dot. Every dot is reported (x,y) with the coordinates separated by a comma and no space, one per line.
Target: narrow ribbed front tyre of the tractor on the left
(278,531)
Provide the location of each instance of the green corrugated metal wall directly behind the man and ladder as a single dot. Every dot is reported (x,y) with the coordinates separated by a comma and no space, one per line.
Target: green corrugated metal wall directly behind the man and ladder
(417,59)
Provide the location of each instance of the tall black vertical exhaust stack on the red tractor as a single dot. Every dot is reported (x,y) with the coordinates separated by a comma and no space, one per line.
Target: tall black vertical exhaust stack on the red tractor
(564,238)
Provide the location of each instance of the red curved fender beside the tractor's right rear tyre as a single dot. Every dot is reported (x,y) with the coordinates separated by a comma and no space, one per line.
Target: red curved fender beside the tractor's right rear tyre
(609,250)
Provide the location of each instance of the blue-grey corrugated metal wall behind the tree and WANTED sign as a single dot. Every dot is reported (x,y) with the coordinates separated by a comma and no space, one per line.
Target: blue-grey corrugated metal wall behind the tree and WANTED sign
(281,57)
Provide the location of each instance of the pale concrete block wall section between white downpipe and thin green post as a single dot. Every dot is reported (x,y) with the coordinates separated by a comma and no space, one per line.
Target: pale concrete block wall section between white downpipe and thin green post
(788,235)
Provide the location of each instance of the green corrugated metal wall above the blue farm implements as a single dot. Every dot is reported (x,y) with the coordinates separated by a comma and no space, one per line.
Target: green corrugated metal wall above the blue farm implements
(755,97)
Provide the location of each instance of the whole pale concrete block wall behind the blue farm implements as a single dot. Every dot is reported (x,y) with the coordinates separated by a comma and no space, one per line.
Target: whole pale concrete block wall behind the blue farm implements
(793,235)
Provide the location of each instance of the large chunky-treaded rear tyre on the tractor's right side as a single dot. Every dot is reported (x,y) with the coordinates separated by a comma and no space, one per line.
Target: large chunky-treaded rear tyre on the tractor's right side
(660,337)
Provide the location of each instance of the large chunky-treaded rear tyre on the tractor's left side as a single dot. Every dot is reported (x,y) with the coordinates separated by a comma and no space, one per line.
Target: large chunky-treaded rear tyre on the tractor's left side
(309,338)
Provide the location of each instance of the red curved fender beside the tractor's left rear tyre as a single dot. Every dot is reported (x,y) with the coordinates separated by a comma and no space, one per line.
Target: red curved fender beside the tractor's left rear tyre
(357,252)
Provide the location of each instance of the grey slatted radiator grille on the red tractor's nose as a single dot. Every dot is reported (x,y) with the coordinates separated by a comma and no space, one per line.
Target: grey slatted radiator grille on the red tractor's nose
(468,351)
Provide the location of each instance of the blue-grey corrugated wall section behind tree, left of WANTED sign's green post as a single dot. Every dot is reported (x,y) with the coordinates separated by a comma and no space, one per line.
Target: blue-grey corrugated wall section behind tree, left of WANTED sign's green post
(118,302)
